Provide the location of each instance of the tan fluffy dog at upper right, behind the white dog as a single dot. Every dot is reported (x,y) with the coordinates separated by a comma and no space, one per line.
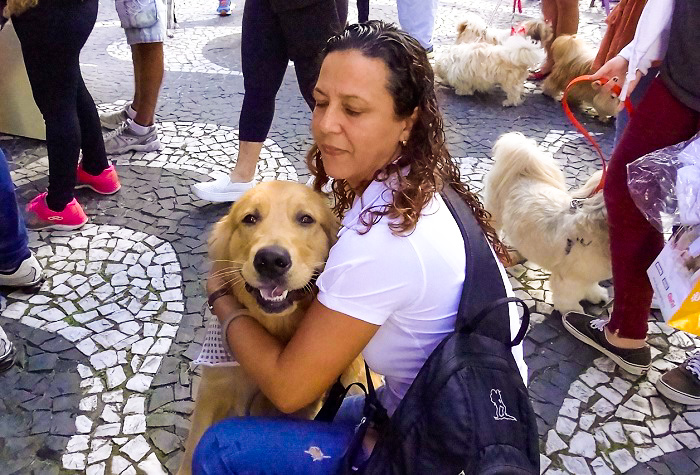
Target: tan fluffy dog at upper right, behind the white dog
(573,58)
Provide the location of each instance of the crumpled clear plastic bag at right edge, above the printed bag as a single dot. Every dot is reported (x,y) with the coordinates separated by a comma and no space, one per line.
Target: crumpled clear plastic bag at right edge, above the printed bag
(665,185)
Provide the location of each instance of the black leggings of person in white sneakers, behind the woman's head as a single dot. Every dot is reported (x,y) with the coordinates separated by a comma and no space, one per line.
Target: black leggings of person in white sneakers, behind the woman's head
(269,41)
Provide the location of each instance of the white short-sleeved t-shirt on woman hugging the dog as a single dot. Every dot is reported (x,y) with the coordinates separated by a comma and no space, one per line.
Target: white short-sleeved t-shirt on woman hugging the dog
(409,285)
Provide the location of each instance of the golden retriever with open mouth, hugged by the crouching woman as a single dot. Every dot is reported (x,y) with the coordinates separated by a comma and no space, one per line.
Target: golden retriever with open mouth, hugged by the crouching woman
(273,244)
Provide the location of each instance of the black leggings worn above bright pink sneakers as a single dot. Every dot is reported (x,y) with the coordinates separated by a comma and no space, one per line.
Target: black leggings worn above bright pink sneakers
(52,35)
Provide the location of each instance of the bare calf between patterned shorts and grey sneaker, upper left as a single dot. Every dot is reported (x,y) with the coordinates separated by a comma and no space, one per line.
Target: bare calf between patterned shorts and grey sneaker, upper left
(148,76)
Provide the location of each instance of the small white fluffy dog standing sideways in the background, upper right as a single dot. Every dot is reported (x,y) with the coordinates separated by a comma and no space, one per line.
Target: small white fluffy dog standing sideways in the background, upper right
(480,67)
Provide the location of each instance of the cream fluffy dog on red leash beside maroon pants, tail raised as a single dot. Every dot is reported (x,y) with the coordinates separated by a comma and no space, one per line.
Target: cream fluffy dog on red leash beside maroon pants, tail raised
(562,231)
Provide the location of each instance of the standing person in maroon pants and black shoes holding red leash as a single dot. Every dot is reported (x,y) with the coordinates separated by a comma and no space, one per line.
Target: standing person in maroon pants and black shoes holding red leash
(668,113)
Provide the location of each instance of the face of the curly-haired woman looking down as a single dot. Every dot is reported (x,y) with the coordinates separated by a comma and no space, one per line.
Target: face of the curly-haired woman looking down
(354,124)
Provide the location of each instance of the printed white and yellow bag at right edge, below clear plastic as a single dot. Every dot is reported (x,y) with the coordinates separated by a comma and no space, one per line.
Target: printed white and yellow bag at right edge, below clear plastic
(675,277)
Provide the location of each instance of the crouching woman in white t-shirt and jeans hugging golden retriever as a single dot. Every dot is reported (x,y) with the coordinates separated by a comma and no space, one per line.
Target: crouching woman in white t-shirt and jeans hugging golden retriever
(393,280)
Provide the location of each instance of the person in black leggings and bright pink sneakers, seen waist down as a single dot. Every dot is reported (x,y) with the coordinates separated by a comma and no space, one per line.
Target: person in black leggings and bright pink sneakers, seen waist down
(52,33)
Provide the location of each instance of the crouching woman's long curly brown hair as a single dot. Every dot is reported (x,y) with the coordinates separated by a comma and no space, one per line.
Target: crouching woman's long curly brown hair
(411,85)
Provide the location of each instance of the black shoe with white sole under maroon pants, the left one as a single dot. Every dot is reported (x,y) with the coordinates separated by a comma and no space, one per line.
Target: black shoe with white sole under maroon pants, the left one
(590,331)
